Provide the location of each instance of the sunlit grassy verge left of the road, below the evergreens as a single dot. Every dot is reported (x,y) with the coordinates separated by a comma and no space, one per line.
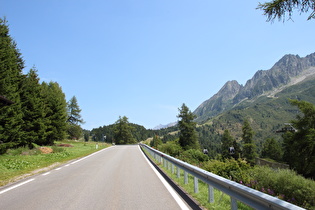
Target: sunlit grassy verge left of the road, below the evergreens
(22,162)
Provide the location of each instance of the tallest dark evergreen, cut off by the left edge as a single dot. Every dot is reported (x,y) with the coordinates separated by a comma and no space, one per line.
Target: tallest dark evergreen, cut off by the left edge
(11,66)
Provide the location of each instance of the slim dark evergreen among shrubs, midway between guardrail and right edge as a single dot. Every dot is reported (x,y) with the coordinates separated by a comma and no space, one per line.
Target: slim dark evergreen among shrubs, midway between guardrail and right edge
(249,147)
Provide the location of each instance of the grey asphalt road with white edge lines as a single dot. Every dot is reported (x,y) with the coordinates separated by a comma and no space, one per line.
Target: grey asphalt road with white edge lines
(118,177)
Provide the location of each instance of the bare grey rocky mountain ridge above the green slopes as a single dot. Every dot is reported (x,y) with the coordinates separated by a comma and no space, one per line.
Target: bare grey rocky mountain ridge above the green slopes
(289,70)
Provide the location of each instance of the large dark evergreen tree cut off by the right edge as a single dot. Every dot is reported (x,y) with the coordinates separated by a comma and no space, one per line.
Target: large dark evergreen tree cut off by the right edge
(299,147)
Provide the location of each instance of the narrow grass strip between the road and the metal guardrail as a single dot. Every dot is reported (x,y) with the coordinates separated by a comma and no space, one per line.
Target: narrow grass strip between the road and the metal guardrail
(221,200)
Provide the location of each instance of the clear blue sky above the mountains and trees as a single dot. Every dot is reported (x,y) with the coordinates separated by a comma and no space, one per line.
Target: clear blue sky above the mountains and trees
(144,59)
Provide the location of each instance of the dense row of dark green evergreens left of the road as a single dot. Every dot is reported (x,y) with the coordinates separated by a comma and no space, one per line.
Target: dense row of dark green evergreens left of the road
(31,112)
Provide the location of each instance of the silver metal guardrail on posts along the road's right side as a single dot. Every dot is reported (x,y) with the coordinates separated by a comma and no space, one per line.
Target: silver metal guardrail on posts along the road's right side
(237,192)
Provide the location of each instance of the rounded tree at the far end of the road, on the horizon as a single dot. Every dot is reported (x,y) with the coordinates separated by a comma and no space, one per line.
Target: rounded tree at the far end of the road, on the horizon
(123,131)
